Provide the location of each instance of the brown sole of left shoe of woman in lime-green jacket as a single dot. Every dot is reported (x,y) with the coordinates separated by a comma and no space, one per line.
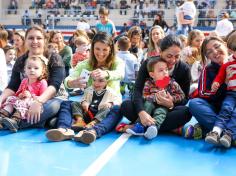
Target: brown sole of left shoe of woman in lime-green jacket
(57,136)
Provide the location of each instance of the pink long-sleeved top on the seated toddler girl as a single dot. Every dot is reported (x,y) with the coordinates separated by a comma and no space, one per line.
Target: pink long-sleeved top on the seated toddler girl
(36,88)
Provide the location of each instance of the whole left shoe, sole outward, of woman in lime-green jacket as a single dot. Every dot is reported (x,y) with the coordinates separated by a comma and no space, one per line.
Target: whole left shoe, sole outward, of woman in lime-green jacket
(60,134)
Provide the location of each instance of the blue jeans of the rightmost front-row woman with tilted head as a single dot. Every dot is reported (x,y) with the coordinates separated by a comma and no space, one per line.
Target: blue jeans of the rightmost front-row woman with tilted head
(206,115)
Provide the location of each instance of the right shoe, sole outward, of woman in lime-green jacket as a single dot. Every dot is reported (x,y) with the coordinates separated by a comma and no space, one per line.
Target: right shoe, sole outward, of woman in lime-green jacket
(86,136)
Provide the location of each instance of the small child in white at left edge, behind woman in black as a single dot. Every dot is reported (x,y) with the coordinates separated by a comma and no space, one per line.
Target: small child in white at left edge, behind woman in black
(10,54)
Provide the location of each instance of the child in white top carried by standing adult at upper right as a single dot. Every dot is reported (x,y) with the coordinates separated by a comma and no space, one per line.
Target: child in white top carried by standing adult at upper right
(189,12)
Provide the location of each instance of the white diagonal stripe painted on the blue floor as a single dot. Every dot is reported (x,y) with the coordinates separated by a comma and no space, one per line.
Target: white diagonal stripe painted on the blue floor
(99,163)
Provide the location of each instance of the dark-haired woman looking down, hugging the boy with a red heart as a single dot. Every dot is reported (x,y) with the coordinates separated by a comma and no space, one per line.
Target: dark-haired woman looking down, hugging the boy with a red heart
(178,114)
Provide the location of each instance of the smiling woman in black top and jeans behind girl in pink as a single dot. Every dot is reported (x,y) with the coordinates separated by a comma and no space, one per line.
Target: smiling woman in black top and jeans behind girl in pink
(44,106)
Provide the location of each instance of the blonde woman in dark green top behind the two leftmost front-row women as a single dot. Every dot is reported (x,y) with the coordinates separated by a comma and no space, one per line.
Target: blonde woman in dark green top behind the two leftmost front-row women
(64,50)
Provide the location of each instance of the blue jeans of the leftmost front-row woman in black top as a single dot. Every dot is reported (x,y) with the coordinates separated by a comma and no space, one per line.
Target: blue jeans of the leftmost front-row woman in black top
(50,109)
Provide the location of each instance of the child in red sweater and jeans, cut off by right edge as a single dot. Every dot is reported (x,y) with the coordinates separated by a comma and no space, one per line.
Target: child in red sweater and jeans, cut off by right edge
(226,75)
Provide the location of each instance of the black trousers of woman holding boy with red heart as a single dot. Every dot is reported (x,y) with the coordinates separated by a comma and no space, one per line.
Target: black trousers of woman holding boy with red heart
(175,118)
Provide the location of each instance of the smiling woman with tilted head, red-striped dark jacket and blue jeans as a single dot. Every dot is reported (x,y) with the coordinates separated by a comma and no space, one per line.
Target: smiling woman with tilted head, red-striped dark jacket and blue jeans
(206,108)
